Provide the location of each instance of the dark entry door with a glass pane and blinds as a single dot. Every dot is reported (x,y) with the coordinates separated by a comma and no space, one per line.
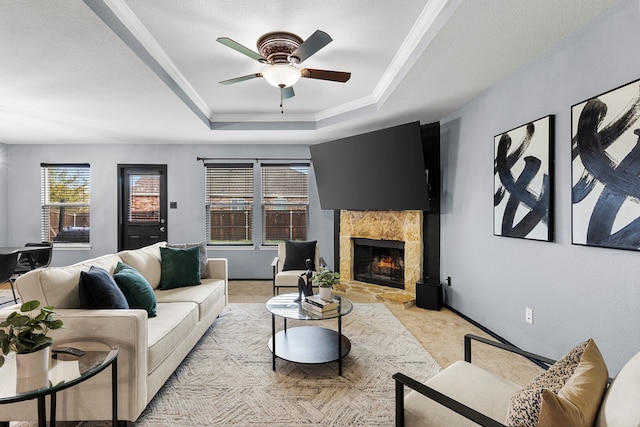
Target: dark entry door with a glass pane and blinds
(142,202)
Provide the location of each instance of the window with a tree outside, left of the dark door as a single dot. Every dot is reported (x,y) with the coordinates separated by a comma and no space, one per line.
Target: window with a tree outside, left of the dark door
(65,194)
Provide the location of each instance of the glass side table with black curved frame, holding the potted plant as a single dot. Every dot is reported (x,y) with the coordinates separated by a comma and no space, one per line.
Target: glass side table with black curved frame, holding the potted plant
(65,370)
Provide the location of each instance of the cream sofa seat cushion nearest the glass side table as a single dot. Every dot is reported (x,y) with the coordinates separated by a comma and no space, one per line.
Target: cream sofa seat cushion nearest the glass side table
(167,330)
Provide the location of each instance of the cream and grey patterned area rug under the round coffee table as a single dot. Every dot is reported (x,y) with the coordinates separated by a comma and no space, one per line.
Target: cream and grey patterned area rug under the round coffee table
(227,380)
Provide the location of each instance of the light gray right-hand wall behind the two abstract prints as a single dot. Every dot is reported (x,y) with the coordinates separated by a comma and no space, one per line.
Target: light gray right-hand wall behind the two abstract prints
(576,292)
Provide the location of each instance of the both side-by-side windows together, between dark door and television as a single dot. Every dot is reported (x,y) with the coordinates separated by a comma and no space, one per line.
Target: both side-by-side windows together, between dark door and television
(280,197)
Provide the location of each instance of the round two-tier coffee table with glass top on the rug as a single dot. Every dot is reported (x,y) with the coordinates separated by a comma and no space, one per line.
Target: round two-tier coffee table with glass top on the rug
(307,344)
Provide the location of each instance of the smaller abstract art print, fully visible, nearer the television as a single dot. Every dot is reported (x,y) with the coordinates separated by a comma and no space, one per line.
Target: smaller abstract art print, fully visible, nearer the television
(523,184)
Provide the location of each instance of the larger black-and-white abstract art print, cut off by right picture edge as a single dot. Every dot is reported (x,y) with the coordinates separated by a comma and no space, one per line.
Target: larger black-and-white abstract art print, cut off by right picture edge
(605,170)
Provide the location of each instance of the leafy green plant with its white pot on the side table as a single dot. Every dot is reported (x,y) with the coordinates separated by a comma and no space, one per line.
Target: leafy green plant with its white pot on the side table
(26,334)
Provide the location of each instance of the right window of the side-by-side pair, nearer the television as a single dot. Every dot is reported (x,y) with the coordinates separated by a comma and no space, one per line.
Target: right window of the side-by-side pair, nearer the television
(285,202)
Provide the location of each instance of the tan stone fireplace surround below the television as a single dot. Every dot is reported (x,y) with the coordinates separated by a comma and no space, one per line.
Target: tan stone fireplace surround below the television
(404,226)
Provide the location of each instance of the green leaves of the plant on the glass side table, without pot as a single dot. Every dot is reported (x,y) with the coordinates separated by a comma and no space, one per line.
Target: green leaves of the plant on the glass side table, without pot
(26,333)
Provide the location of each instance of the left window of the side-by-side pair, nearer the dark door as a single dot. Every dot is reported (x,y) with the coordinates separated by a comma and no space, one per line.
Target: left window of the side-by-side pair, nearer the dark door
(229,203)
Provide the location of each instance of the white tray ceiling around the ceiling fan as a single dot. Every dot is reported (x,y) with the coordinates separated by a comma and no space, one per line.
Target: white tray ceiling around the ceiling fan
(147,71)
